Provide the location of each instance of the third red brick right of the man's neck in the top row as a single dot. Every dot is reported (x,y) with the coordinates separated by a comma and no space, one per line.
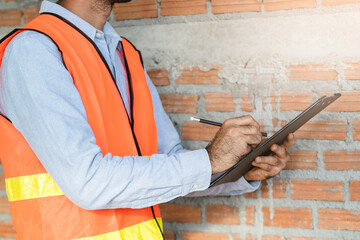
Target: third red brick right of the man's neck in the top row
(226,6)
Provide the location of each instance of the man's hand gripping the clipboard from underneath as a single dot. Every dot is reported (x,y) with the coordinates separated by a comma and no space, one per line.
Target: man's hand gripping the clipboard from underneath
(268,166)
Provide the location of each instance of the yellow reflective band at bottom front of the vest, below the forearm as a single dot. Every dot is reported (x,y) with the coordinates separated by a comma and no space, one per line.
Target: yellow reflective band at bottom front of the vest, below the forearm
(148,230)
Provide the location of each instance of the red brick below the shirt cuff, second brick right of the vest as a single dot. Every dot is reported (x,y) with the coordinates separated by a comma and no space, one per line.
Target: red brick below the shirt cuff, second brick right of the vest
(221,214)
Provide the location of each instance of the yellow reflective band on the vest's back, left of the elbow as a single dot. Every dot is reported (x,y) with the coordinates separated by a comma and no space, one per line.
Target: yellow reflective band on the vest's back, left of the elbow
(30,187)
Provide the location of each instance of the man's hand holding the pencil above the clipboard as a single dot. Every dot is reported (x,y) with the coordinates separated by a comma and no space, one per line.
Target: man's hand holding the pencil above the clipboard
(236,138)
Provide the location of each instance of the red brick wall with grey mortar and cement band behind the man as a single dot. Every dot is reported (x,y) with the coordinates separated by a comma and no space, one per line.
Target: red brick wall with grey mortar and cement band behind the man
(271,58)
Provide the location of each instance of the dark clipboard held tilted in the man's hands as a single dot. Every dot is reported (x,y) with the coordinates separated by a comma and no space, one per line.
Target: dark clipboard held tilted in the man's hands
(244,165)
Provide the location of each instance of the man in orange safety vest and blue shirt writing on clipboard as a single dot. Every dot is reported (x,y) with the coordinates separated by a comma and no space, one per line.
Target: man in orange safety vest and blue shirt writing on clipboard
(87,149)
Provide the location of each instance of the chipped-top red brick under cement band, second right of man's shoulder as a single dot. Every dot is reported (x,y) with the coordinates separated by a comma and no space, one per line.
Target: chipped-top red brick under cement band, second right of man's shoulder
(196,75)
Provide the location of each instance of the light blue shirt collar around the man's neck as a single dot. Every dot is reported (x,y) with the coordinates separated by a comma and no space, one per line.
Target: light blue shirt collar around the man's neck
(84,26)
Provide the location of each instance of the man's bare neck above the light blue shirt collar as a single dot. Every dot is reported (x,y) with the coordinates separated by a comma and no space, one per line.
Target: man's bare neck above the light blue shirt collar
(94,12)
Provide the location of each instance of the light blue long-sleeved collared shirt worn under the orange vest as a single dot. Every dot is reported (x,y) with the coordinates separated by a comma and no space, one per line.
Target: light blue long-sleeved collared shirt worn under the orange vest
(39,97)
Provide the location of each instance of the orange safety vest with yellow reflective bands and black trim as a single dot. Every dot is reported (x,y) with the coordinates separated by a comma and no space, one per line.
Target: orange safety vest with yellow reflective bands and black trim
(38,207)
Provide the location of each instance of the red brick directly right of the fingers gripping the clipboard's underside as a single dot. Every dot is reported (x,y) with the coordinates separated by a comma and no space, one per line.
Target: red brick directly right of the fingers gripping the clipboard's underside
(302,160)
